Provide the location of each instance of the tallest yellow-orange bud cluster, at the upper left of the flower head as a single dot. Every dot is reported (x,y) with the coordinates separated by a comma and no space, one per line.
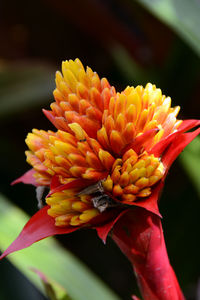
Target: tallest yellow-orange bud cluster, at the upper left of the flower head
(81,97)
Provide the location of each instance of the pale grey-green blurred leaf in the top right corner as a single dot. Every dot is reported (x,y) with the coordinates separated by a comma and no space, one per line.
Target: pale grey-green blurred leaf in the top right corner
(181,15)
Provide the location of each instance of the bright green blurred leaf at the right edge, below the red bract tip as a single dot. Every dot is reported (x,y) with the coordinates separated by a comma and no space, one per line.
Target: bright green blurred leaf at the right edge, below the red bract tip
(190,159)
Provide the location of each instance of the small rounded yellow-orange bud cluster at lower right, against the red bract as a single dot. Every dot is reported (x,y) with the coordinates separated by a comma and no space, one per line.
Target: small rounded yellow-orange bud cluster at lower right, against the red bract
(133,175)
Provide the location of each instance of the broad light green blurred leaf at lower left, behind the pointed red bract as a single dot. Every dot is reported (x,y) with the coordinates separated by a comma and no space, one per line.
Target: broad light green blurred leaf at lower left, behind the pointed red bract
(50,258)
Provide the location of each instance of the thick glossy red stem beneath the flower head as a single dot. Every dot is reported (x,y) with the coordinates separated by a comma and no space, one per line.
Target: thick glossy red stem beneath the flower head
(139,235)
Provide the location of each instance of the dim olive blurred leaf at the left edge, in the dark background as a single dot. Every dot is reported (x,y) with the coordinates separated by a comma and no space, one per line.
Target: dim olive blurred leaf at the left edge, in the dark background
(24,85)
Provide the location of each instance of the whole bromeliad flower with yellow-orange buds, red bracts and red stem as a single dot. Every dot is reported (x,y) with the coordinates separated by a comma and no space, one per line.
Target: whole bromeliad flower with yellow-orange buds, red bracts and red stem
(105,166)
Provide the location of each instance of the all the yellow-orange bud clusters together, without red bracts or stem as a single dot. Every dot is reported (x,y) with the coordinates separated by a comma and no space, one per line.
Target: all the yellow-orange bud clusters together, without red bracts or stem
(98,130)
